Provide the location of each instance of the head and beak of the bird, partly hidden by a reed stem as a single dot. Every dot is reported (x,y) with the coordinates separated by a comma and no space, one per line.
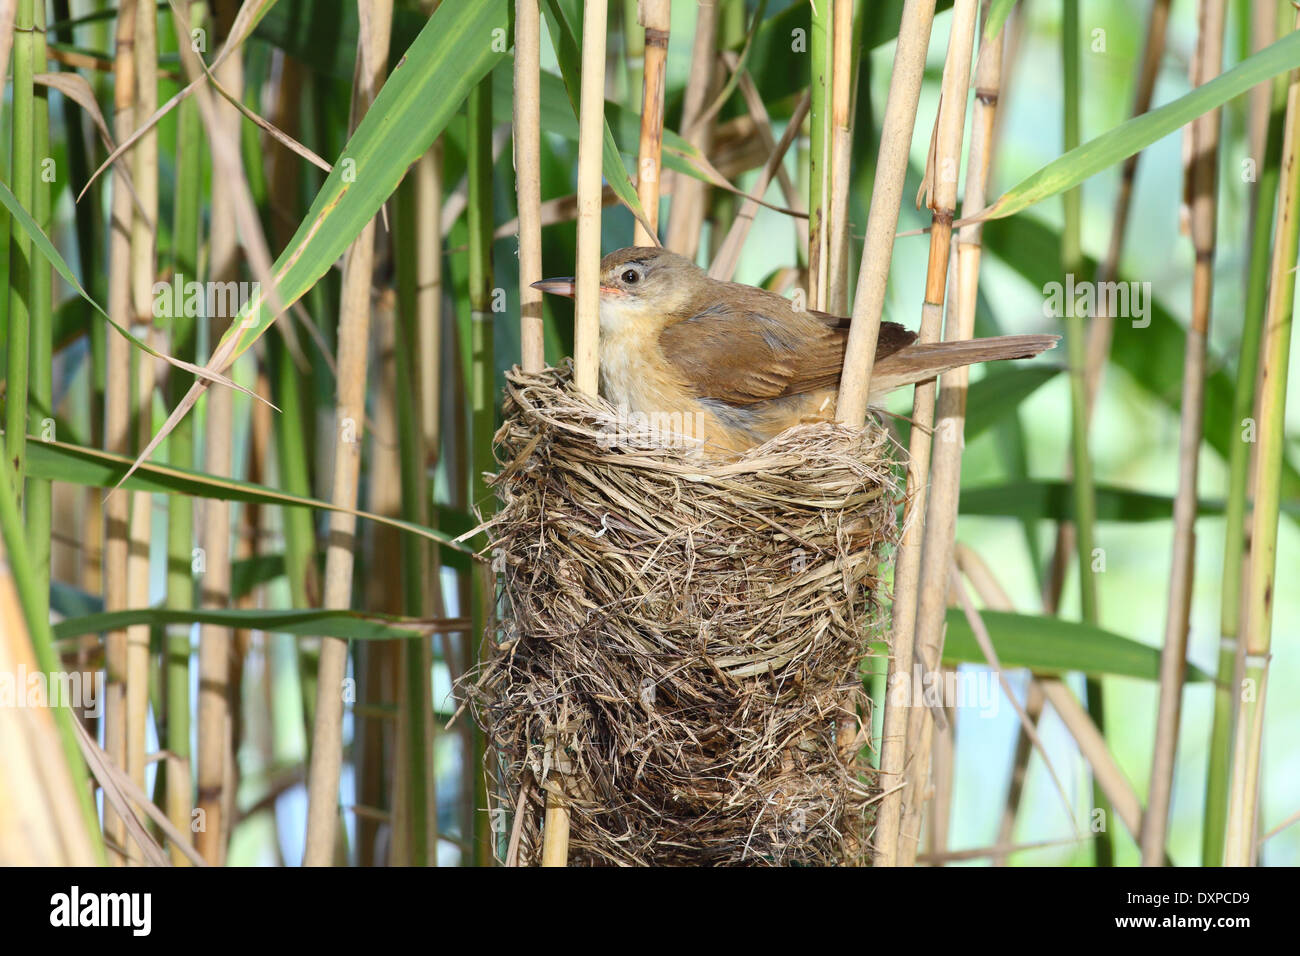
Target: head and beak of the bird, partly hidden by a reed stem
(640,285)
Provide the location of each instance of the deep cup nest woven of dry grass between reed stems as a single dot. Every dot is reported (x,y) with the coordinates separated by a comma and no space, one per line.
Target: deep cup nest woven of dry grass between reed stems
(679,657)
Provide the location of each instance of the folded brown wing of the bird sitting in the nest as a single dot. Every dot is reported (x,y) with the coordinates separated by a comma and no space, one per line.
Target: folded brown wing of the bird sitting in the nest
(747,356)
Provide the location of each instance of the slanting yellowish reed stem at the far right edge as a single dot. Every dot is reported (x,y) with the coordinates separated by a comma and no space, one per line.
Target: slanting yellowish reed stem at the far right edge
(1241,846)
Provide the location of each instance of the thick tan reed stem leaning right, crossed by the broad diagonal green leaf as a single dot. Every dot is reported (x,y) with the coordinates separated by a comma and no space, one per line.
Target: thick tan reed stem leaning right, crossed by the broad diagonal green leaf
(354,330)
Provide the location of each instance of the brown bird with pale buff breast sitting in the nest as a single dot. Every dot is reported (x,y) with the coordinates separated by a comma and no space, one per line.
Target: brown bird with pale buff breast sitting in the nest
(733,365)
